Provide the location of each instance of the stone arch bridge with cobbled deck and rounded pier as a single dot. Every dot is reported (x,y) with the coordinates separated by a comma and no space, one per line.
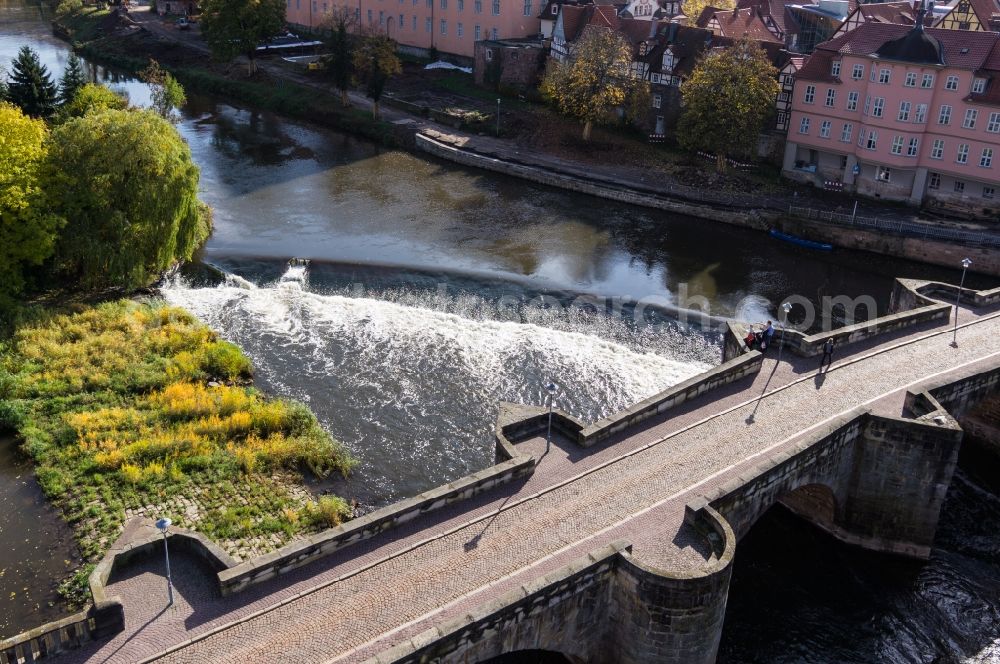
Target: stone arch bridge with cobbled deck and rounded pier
(612,543)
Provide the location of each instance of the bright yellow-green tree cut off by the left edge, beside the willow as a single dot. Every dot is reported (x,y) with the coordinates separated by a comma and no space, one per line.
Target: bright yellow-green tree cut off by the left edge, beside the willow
(27,231)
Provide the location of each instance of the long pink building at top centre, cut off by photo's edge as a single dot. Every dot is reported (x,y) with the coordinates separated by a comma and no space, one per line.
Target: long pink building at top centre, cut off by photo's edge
(450,26)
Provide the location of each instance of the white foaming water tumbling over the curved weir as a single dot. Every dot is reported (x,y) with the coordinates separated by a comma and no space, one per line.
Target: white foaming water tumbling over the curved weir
(414,391)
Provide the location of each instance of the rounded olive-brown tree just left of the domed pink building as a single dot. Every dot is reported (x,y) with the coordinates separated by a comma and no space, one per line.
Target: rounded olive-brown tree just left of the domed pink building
(727,101)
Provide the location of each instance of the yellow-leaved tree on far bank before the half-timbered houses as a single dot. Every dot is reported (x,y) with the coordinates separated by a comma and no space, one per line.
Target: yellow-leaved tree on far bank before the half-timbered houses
(596,80)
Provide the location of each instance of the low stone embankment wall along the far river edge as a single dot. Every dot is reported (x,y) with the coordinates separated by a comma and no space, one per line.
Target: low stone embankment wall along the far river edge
(935,252)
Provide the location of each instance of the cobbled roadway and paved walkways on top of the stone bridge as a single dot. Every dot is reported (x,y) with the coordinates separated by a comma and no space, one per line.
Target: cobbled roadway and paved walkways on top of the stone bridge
(380,593)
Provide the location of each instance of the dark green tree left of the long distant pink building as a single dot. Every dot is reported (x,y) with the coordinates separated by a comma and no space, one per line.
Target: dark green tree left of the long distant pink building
(237,27)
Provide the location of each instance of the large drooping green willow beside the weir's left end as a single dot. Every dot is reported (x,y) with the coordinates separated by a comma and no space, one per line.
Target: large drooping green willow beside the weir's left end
(127,188)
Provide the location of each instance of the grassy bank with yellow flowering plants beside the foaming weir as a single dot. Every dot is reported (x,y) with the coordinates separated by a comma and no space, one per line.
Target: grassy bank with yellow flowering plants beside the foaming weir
(135,408)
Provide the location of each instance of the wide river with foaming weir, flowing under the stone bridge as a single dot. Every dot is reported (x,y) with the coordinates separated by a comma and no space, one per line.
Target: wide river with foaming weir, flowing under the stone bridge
(434,292)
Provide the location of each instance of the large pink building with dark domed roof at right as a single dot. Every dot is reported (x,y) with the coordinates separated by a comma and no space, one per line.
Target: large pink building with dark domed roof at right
(901,113)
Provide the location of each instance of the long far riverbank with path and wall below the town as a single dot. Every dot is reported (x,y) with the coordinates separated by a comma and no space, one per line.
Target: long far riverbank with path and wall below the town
(760,208)
